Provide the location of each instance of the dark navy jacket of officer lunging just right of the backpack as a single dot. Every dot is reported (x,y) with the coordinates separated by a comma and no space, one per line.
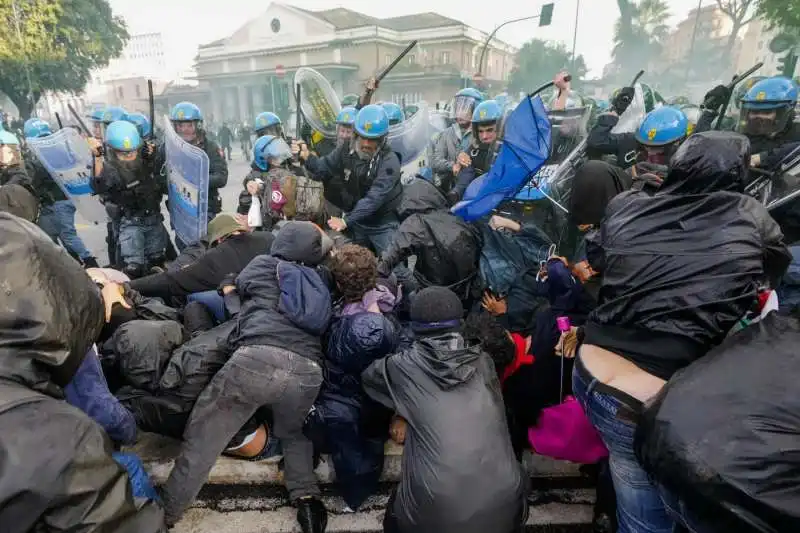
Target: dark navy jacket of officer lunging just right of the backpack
(368,191)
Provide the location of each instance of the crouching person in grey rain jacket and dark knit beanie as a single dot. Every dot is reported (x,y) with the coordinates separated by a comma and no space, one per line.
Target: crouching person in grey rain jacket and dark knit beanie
(446,390)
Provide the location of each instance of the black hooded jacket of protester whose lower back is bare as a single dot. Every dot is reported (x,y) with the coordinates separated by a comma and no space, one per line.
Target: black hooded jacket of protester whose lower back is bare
(695,255)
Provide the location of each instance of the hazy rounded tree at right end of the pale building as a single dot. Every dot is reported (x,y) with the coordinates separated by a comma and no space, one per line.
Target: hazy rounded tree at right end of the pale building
(538,61)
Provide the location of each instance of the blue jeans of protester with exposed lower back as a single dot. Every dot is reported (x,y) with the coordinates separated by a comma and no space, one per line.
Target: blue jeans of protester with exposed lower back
(640,508)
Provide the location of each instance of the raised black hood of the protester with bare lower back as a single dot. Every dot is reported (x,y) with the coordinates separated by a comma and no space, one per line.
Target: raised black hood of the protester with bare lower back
(707,162)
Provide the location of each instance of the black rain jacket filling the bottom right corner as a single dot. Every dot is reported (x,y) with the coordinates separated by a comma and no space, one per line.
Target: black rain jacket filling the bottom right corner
(724,434)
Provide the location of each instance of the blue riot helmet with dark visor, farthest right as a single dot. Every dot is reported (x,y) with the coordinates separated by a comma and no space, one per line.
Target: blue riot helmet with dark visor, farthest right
(767,109)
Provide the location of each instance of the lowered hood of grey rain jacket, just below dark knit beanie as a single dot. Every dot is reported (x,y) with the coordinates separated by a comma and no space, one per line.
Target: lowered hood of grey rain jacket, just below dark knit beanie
(446,359)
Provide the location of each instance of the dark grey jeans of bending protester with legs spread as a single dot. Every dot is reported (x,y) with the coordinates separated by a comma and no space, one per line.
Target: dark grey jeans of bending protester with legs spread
(253,377)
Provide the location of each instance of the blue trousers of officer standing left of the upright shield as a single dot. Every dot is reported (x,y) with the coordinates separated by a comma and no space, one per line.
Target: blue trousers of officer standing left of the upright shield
(141,240)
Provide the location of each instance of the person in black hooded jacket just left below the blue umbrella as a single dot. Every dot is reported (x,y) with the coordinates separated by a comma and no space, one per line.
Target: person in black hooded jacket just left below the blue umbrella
(447,248)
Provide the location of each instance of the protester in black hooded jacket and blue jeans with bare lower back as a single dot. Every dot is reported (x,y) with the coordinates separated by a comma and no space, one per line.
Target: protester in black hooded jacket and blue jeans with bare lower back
(709,249)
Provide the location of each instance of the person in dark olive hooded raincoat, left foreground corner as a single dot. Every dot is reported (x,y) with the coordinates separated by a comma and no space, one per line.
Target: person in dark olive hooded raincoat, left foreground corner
(50,314)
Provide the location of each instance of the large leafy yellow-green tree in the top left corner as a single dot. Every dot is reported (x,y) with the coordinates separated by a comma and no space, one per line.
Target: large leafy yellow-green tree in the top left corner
(58,44)
